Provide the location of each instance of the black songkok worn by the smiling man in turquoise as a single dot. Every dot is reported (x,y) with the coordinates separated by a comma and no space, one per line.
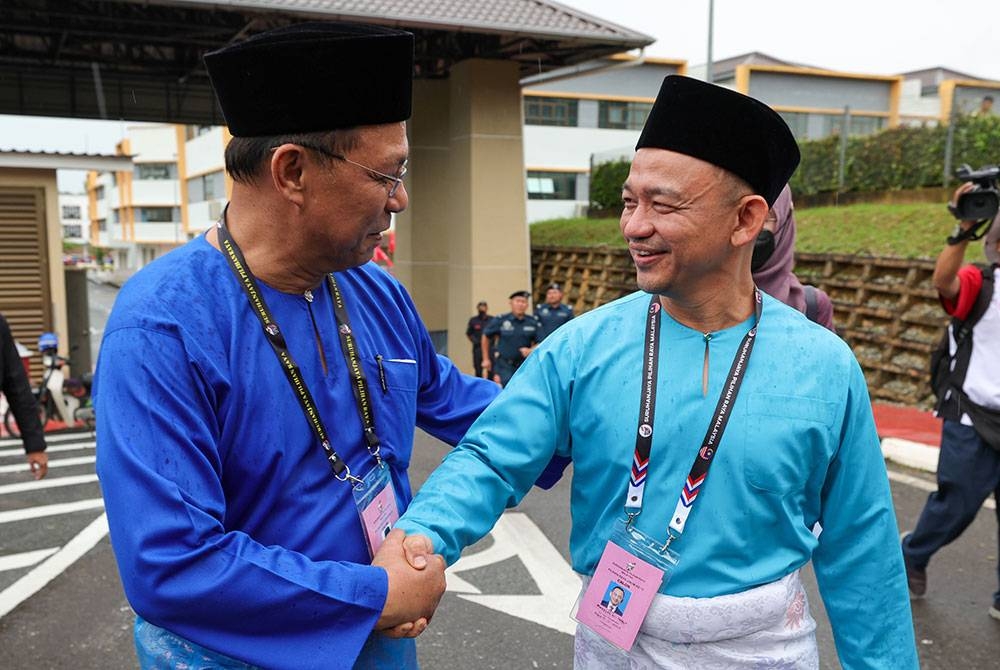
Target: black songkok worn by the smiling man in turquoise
(724,128)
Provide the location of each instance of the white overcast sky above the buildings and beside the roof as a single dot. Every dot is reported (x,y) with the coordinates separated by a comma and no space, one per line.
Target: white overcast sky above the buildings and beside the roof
(869,36)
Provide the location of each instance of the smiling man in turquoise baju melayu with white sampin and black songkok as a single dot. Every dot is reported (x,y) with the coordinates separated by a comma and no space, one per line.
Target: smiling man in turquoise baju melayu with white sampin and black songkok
(772,410)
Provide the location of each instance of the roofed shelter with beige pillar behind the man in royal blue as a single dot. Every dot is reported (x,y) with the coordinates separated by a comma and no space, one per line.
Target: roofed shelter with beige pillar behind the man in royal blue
(464,237)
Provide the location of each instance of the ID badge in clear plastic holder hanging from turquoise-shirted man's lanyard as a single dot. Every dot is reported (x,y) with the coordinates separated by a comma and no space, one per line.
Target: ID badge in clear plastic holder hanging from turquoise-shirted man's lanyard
(631,571)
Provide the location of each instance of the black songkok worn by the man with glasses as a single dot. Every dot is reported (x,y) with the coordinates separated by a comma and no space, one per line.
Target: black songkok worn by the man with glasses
(313,77)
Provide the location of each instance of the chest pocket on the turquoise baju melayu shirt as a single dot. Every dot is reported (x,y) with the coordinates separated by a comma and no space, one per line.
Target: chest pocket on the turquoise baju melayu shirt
(787,438)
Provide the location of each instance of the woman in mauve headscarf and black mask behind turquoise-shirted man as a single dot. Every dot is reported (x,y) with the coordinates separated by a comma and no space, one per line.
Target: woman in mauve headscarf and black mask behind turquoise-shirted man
(774,259)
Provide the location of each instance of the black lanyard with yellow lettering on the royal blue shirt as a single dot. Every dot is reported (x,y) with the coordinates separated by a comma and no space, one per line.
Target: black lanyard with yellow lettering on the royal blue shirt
(277,341)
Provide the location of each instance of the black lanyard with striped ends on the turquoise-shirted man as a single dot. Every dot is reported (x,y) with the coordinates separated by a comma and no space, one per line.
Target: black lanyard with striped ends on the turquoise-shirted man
(710,444)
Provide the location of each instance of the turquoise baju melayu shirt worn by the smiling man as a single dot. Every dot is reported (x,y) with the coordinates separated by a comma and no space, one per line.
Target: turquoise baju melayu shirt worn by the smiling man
(800,448)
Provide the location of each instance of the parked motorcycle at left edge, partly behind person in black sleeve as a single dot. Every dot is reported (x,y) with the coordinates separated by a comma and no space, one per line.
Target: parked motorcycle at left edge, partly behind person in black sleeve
(58,396)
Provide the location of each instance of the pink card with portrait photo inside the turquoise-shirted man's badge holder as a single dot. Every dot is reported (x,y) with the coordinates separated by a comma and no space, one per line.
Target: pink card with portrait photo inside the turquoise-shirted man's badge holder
(619,595)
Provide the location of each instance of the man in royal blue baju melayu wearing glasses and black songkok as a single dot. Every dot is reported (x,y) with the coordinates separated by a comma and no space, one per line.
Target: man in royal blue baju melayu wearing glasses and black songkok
(258,389)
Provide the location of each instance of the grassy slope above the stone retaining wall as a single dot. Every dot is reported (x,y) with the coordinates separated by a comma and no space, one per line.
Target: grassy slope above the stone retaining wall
(904,231)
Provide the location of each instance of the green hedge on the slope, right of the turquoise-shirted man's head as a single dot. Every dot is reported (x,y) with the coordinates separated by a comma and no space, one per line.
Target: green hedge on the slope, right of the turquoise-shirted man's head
(898,158)
